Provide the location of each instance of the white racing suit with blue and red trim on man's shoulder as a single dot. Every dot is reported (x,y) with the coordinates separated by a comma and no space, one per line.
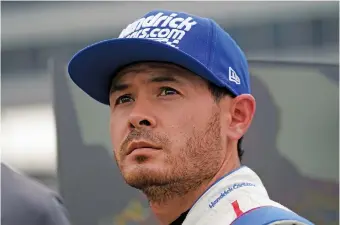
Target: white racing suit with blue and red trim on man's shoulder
(239,198)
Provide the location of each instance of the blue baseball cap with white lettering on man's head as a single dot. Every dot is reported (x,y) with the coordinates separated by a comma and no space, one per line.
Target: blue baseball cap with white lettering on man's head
(195,43)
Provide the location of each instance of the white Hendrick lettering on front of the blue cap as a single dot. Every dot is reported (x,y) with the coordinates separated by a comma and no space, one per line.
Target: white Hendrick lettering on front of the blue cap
(168,29)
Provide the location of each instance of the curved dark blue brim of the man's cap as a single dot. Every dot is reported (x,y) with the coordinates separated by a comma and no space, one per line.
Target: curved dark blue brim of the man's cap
(93,68)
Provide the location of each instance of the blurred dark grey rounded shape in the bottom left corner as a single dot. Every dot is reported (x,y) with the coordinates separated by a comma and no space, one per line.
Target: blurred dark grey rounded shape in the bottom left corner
(25,201)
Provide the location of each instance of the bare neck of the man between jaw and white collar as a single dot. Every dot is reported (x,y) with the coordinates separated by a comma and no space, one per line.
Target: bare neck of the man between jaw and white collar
(168,211)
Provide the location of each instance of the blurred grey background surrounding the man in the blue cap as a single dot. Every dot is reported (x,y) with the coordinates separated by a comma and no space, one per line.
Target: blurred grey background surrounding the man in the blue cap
(53,132)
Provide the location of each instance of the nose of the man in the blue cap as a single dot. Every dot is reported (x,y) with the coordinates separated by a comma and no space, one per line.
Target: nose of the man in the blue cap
(142,115)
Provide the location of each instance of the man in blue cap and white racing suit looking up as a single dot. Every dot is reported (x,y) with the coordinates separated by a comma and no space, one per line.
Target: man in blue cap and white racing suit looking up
(179,95)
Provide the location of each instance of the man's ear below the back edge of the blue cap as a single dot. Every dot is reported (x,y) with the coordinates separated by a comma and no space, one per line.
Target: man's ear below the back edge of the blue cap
(241,112)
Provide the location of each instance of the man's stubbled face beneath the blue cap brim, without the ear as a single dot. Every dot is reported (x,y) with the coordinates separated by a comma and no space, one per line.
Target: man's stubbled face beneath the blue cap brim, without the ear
(165,128)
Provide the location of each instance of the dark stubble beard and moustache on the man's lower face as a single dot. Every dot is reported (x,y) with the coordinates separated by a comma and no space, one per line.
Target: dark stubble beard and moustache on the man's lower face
(196,163)
